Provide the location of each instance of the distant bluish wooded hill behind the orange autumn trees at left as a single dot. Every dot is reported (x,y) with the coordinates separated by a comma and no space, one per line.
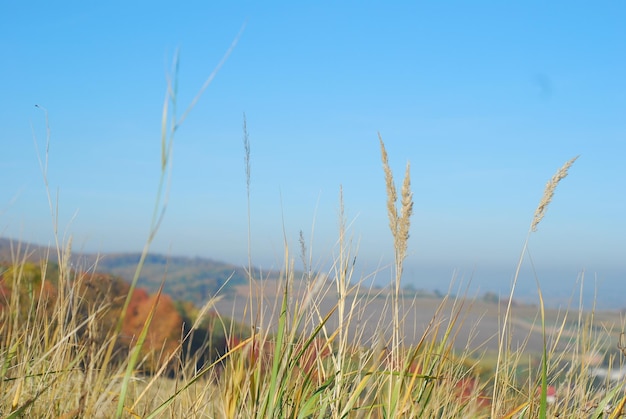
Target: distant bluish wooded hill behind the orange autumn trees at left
(187,279)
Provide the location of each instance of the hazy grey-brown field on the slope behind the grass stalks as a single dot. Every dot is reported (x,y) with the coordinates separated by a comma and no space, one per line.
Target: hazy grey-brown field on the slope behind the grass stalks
(477,327)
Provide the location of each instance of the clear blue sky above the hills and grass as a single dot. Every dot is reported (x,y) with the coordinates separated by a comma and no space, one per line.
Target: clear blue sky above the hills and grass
(485,99)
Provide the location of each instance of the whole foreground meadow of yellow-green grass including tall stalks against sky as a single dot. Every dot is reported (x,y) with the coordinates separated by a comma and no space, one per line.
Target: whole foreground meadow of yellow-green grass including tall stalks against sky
(305,345)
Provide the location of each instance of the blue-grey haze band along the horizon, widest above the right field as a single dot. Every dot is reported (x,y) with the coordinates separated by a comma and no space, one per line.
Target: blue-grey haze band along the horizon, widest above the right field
(560,286)
